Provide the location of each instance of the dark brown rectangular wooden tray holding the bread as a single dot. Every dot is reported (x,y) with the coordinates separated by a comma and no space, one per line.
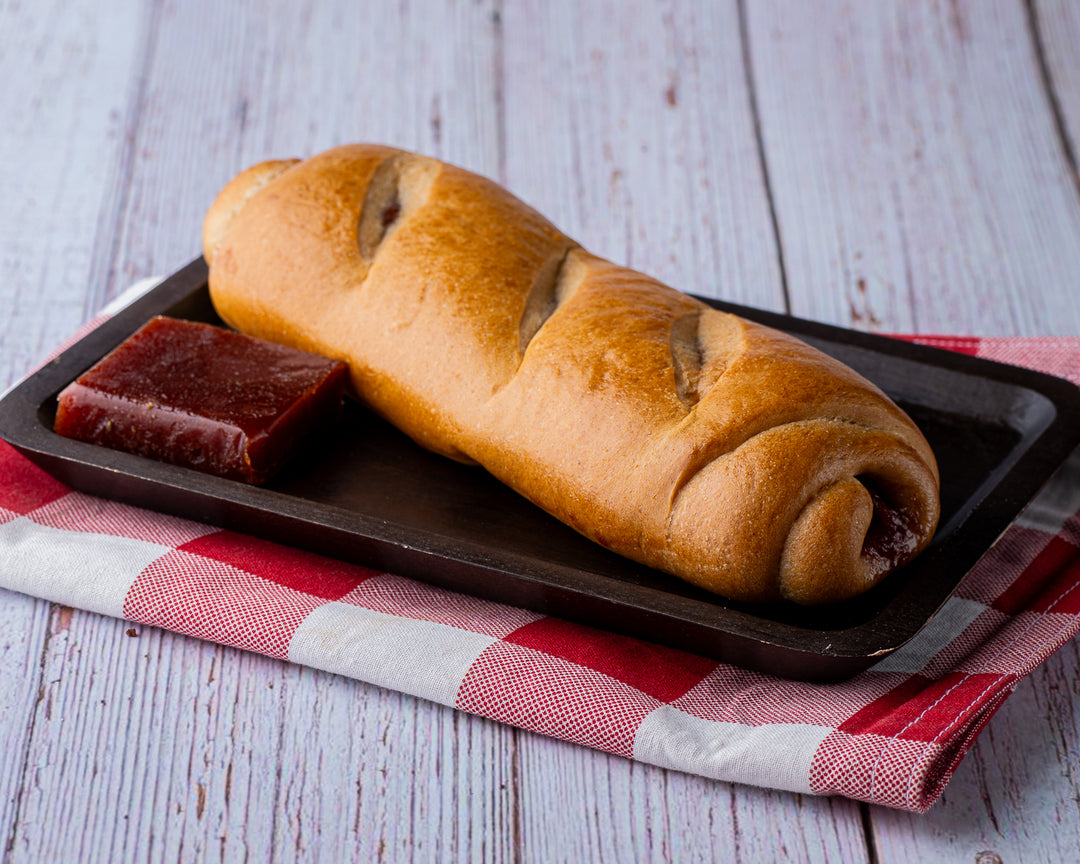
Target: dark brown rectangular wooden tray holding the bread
(367,494)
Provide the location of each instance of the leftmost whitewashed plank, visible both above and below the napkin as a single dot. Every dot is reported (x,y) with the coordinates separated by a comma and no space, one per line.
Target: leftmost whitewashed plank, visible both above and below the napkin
(63,105)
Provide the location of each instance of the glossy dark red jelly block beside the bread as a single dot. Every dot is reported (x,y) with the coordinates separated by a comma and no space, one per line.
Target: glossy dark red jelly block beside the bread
(205,398)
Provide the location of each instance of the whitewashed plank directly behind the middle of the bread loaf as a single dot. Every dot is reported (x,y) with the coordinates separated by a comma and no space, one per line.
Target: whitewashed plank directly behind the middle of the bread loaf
(647,154)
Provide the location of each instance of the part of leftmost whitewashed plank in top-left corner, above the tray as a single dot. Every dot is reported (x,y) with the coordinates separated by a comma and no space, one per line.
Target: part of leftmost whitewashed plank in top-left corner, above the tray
(64,110)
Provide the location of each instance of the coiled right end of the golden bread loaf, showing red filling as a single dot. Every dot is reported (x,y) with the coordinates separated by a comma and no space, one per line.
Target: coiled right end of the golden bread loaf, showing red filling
(855,506)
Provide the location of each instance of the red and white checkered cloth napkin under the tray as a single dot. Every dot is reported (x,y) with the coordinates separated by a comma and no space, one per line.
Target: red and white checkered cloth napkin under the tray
(892,736)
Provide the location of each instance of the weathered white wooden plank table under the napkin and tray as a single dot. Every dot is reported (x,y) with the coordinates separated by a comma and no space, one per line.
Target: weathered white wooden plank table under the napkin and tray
(882,166)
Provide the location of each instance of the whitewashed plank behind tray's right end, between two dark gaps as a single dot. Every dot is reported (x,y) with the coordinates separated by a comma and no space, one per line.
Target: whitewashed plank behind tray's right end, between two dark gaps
(920,181)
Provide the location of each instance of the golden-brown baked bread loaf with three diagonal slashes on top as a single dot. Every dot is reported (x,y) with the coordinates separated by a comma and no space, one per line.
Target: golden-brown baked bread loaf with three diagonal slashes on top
(720,451)
